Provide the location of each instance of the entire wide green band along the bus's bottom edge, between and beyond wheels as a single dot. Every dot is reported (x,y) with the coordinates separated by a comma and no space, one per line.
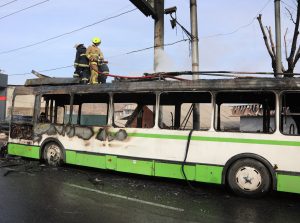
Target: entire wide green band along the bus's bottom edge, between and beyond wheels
(196,172)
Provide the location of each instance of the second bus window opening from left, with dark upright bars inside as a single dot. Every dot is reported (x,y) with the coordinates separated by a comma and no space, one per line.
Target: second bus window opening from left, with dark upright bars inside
(53,108)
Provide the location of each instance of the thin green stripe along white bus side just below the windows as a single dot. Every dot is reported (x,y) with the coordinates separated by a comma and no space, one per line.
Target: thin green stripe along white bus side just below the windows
(218,139)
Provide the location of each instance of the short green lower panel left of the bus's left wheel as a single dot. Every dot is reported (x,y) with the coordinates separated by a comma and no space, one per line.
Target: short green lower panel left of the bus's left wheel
(24,150)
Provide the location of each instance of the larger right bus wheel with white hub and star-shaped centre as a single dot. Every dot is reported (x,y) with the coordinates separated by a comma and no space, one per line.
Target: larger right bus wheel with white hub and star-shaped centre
(249,178)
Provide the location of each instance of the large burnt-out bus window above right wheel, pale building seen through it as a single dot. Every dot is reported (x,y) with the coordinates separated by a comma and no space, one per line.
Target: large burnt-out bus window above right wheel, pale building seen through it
(252,112)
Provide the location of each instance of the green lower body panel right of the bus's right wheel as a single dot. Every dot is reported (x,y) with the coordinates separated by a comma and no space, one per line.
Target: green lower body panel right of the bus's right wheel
(288,183)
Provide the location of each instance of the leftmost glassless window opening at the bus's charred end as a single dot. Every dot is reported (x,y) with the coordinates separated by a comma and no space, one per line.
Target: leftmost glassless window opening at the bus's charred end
(23,108)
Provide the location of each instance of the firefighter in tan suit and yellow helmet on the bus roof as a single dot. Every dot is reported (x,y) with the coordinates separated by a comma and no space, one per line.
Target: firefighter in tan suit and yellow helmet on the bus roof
(95,57)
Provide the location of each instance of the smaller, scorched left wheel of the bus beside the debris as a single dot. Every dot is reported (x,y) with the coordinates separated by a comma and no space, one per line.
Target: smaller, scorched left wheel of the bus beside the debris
(52,147)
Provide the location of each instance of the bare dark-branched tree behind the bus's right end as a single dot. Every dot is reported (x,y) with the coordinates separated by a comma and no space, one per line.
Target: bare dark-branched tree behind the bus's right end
(294,53)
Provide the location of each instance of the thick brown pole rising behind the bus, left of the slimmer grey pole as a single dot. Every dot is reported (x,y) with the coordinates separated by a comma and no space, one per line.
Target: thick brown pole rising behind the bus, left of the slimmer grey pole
(158,31)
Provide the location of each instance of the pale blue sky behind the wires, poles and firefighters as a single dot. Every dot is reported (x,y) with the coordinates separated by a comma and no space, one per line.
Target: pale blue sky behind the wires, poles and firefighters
(229,36)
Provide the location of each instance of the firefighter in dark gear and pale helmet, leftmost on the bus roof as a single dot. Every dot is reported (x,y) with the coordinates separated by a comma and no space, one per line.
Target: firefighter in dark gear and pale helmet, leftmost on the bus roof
(81,64)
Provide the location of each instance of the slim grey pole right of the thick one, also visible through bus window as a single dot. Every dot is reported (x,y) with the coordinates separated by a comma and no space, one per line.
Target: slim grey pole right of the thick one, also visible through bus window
(195,57)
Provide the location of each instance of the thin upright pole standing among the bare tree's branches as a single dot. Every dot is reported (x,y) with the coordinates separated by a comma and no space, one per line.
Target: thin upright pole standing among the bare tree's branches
(278,38)
